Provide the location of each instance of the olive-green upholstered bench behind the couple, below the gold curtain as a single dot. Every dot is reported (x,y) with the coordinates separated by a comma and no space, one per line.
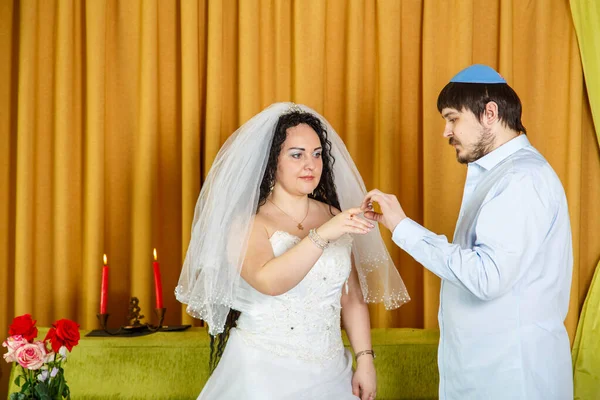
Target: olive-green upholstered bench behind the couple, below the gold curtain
(174,365)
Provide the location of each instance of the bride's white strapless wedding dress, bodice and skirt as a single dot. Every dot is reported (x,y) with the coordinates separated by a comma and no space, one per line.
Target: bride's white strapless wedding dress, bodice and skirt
(290,346)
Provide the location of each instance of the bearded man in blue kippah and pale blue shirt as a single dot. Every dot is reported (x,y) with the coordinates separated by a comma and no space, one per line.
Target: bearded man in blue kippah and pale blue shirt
(506,276)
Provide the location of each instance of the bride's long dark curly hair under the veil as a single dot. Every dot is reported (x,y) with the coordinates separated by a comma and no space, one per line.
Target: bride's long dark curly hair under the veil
(325,192)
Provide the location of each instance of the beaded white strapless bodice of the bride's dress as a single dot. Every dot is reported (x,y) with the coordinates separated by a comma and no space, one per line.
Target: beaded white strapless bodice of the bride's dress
(305,321)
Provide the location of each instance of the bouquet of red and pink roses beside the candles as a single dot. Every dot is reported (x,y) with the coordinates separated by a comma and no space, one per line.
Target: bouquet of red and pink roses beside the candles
(40,363)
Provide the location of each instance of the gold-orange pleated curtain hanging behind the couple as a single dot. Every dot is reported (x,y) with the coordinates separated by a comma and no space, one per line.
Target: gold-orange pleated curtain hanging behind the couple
(111,112)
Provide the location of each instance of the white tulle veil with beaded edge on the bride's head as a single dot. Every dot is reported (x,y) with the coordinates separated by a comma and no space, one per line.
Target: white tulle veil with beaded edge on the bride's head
(225,212)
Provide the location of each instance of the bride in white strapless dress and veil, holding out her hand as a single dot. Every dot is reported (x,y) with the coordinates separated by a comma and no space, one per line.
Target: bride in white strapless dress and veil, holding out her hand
(275,268)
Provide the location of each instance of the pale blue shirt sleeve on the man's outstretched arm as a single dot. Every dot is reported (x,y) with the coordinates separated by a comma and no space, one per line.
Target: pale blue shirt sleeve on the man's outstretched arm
(509,231)
